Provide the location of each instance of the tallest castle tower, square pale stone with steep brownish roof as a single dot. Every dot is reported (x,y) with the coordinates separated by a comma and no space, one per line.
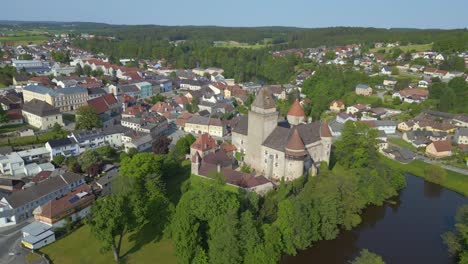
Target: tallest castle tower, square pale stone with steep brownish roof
(262,120)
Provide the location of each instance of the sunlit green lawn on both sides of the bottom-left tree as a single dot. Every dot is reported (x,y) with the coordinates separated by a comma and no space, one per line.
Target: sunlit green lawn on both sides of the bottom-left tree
(81,247)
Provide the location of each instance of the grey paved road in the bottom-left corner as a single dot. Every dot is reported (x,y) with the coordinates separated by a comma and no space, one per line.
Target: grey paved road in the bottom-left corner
(10,242)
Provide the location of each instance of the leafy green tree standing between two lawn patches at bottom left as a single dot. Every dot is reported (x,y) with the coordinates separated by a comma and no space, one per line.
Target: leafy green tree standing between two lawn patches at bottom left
(112,218)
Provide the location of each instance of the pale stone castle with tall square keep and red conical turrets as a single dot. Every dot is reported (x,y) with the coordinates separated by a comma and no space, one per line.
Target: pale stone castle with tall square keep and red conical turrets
(281,150)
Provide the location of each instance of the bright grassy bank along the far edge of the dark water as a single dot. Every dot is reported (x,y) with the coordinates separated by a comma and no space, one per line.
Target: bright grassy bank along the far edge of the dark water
(455,181)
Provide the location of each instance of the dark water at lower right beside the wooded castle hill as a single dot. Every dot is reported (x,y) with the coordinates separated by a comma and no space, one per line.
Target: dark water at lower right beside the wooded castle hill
(407,231)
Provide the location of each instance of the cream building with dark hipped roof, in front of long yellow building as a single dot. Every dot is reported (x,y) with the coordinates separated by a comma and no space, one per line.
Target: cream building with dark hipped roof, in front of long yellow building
(40,114)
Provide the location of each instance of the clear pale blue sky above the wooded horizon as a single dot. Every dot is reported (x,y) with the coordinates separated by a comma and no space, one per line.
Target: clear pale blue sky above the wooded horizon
(247,13)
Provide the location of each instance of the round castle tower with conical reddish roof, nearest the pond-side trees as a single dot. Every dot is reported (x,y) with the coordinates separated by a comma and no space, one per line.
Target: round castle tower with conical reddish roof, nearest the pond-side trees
(295,154)
